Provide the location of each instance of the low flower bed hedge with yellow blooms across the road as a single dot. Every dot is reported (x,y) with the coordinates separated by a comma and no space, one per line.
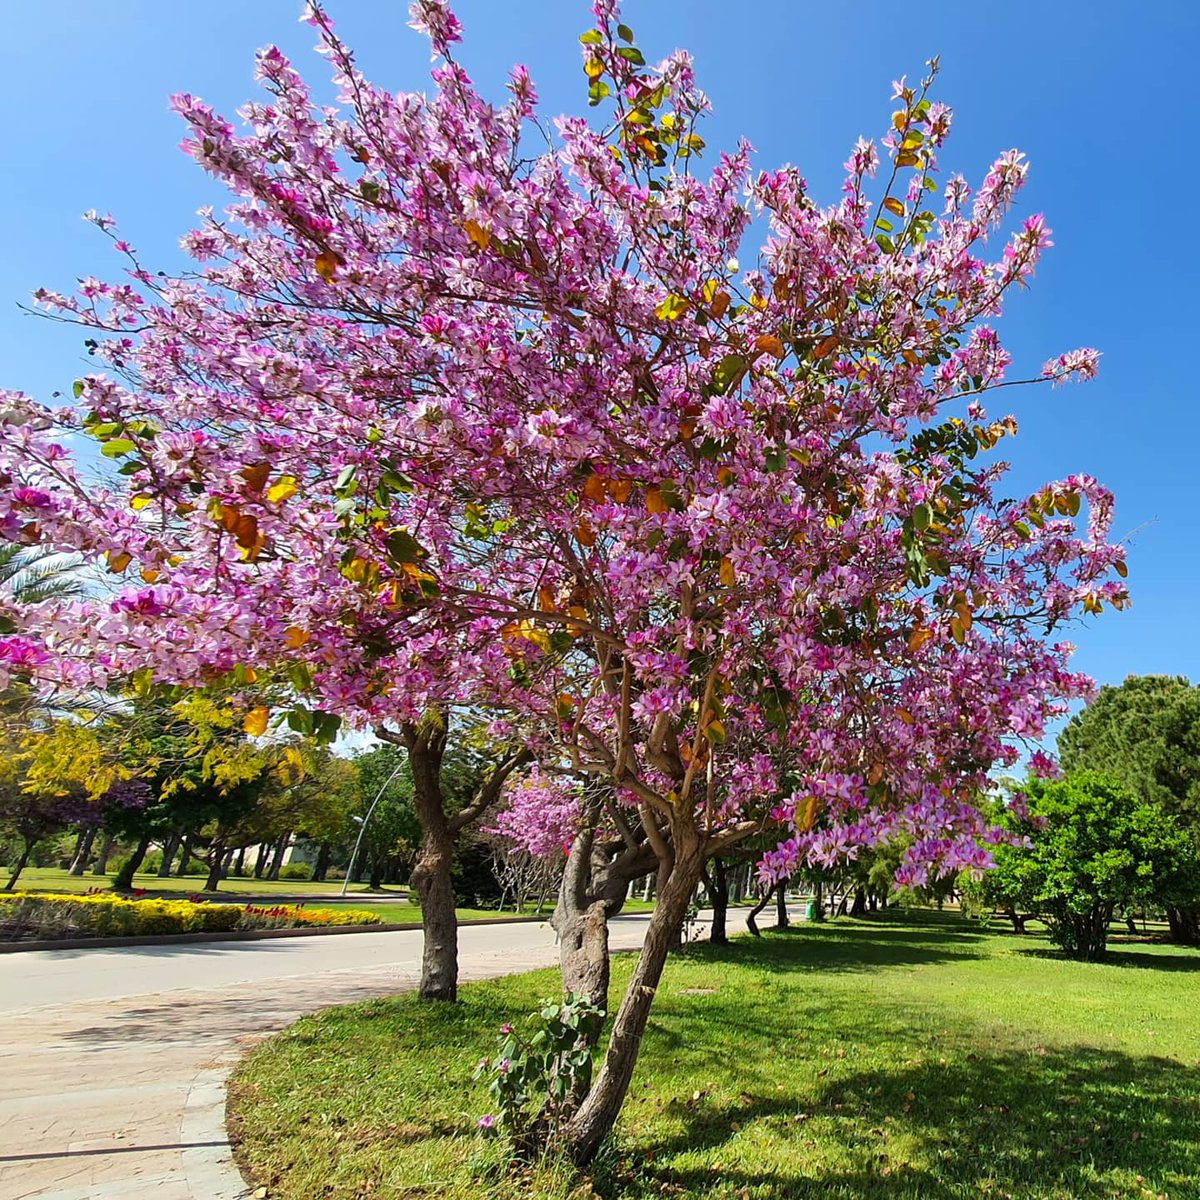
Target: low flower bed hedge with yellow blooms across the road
(27,916)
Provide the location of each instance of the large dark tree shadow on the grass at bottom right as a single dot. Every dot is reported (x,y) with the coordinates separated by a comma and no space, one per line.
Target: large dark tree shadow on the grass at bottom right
(1075,1123)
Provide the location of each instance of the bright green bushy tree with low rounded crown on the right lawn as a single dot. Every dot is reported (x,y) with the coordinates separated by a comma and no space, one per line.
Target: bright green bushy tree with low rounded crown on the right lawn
(1094,848)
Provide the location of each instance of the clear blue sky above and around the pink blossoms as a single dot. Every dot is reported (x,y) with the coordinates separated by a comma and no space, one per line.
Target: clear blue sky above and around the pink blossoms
(1096,93)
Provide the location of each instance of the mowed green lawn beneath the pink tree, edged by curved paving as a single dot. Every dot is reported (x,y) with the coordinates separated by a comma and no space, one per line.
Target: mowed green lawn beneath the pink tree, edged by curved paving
(862,1060)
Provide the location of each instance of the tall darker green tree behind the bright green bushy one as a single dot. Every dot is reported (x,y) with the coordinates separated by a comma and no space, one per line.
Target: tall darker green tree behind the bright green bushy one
(1145,734)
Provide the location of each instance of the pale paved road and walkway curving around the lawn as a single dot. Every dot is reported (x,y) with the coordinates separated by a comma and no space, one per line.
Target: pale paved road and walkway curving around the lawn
(115,1060)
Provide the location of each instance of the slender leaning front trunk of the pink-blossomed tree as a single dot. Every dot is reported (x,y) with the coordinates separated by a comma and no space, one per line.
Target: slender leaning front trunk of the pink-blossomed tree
(598,1114)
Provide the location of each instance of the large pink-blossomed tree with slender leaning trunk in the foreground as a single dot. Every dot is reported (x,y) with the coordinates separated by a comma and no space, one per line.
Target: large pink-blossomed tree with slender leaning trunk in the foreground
(457,410)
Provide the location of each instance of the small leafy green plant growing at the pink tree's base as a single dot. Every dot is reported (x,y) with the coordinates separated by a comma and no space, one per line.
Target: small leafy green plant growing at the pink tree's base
(538,1079)
